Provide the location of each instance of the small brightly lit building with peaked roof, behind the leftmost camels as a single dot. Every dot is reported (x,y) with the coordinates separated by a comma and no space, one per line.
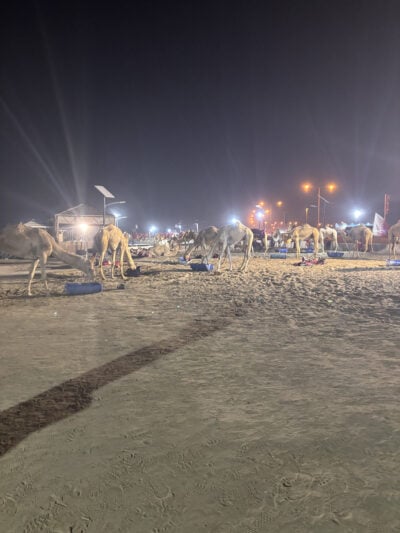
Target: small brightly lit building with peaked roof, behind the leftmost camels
(76,227)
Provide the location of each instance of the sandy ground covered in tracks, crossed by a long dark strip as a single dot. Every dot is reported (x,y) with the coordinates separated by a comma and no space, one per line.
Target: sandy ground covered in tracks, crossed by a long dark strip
(196,402)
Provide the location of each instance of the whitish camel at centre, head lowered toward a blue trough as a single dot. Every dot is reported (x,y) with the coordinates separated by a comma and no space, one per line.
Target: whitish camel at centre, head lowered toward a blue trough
(227,237)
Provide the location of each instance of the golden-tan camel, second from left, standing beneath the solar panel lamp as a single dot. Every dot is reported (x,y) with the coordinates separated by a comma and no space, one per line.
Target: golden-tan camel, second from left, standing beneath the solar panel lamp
(111,238)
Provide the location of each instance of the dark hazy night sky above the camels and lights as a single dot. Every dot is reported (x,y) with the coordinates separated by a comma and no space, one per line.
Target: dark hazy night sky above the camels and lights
(194,111)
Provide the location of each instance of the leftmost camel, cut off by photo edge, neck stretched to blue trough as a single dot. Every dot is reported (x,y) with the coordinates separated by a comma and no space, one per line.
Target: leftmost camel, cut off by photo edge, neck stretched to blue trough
(37,244)
